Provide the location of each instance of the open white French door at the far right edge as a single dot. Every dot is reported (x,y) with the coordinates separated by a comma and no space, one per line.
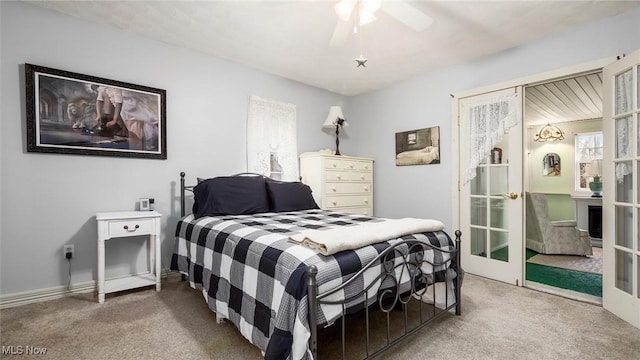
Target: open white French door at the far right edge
(621,196)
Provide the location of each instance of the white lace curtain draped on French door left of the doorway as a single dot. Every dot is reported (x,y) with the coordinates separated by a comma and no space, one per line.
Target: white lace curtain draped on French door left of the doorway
(483,124)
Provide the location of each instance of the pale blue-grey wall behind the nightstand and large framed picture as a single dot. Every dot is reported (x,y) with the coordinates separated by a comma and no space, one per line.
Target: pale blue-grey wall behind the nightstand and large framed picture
(49,200)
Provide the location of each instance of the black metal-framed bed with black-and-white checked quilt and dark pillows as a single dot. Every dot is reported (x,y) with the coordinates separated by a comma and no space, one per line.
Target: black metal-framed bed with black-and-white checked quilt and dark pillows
(246,255)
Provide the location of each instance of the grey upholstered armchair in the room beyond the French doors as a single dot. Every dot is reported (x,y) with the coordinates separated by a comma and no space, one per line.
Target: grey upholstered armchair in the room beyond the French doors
(553,237)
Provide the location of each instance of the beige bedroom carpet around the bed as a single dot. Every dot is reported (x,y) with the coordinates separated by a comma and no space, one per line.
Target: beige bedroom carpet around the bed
(499,321)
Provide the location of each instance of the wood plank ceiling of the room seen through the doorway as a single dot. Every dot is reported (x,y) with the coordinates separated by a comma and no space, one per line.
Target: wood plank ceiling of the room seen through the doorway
(570,99)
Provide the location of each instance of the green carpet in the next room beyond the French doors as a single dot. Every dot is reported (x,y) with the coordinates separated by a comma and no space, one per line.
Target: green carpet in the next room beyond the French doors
(579,281)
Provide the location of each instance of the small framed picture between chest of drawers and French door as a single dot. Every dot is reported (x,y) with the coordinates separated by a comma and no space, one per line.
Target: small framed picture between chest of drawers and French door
(418,147)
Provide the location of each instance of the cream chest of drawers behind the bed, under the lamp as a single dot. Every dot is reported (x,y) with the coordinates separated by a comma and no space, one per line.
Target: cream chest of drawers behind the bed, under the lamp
(340,183)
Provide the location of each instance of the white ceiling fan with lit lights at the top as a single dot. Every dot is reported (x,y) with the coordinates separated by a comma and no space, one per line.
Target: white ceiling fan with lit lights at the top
(355,13)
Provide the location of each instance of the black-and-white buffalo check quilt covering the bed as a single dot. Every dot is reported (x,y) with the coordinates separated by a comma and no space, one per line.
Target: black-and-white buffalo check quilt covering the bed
(249,272)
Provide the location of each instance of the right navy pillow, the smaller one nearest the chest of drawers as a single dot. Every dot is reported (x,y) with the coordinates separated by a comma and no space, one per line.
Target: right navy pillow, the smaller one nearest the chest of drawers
(290,196)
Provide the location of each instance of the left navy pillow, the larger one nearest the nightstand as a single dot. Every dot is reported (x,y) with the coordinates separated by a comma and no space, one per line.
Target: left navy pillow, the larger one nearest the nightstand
(230,195)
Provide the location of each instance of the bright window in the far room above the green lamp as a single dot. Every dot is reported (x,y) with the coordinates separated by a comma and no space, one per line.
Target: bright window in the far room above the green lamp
(588,150)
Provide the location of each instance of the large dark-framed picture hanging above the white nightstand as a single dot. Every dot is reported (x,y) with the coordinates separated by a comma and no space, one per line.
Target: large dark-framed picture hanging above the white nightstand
(70,113)
